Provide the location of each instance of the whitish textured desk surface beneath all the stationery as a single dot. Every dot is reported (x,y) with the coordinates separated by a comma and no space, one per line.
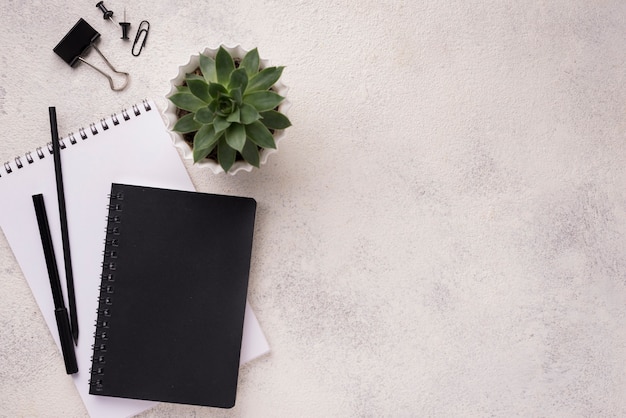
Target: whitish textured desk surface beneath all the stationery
(443,231)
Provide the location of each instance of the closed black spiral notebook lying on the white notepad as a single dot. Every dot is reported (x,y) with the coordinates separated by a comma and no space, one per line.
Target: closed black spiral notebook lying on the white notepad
(172,297)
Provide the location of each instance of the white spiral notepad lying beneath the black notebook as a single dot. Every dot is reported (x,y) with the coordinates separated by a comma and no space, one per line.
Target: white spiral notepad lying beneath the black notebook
(132,147)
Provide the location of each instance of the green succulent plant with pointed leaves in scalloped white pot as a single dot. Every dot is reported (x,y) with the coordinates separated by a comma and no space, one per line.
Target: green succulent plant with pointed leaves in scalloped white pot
(232,110)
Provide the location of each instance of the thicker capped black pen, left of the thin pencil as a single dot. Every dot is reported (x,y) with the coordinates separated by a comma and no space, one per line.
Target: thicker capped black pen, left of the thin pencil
(63,324)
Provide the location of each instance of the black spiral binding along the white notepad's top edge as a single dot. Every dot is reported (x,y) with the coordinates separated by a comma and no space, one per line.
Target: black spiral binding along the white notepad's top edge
(72,139)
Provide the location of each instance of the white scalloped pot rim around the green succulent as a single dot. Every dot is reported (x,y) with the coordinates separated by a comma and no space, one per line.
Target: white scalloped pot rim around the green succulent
(171,117)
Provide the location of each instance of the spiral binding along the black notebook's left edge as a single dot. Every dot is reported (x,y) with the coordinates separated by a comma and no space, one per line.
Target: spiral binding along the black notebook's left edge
(107,292)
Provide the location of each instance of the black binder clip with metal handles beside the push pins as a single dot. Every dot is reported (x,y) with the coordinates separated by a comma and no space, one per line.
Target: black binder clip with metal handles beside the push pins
(77,42)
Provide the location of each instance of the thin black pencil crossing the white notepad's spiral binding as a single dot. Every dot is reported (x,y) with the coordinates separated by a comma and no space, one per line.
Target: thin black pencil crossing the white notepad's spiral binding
(69,276)
